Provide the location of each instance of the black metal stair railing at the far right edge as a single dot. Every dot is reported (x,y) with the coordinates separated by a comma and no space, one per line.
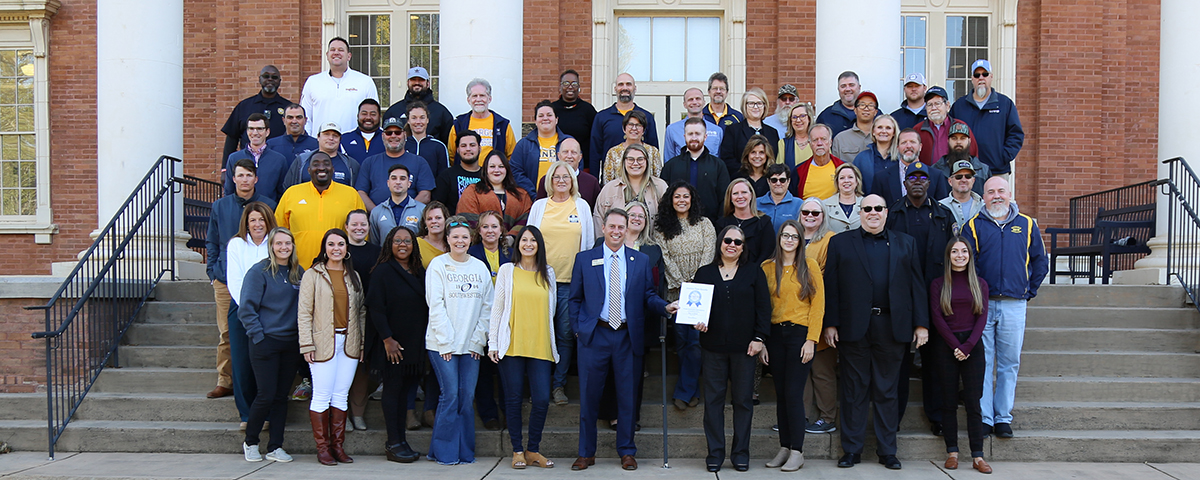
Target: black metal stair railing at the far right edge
(1183,226)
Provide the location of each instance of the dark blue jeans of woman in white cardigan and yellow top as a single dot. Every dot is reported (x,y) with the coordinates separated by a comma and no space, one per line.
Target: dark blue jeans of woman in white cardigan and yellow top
(514,371)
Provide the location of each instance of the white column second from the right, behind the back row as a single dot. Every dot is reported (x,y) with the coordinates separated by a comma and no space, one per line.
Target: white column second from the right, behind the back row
(862,39)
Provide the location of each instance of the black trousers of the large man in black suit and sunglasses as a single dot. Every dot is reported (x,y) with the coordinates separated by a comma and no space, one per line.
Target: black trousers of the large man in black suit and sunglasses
(871,373)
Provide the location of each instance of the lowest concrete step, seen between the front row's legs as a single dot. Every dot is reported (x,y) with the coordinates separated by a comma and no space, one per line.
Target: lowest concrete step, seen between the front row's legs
(561,445)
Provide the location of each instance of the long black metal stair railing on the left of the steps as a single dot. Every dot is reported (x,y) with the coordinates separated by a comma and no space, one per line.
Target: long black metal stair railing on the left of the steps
(95,305)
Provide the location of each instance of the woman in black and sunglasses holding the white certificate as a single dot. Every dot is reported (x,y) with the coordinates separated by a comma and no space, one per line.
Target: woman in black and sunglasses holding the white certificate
(731,341)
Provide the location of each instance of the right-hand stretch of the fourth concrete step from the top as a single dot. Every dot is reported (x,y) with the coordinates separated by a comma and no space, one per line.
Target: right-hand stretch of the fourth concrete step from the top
(1111,364)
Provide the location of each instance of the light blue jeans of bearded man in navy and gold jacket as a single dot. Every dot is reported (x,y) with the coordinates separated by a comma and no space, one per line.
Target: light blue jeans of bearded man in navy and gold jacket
(1003,339)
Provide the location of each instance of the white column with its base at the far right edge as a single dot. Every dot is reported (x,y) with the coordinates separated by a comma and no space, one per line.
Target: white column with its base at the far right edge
(1179,99)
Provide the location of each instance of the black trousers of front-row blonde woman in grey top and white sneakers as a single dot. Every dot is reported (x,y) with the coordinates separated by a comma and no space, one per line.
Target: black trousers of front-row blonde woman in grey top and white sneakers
(275,365)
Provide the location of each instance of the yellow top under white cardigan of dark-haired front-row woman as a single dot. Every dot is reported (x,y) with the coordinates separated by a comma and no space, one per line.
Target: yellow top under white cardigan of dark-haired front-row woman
(530,320)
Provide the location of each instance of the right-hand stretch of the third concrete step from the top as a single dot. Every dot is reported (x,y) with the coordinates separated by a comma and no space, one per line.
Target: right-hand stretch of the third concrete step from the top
(1097,339)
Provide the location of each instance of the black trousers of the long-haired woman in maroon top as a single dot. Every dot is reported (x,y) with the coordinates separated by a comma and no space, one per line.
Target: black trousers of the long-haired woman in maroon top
(970,373)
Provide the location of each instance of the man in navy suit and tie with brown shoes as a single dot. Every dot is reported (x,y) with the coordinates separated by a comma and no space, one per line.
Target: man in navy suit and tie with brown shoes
(611,289)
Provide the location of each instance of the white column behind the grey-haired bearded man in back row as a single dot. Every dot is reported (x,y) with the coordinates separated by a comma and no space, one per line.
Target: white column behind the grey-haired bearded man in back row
(483,39)
